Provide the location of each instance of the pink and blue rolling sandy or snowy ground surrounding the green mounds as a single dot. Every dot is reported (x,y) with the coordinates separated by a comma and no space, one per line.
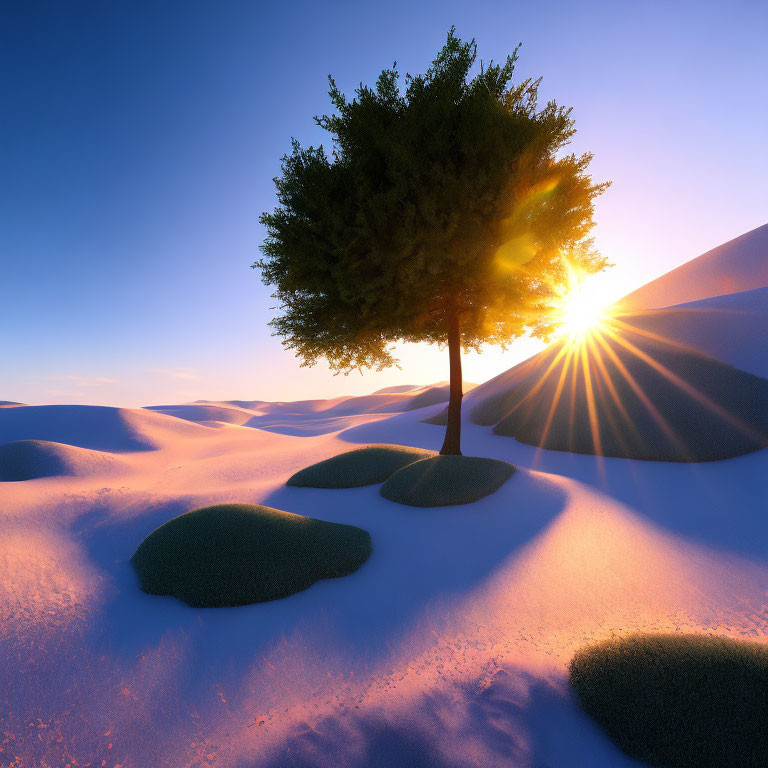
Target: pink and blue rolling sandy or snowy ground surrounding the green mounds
(449,647)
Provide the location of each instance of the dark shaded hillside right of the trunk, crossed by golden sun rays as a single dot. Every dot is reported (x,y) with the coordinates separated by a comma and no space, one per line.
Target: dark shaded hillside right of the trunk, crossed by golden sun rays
(625,392)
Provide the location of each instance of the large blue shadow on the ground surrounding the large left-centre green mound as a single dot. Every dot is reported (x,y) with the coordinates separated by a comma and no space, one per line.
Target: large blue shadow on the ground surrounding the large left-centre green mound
(422,561)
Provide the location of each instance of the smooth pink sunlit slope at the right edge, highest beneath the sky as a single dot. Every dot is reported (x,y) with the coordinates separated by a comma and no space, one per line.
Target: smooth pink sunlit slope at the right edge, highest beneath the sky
(738,265)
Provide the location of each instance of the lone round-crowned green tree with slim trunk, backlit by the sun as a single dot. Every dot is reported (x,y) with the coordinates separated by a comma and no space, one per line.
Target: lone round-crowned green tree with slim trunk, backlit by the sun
(445,213)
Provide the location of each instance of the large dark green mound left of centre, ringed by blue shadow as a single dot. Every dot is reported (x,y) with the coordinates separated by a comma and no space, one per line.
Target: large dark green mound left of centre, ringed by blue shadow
(236,554)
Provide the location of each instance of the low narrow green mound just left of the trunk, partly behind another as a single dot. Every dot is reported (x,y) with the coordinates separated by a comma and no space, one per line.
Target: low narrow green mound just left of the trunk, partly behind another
(363,466)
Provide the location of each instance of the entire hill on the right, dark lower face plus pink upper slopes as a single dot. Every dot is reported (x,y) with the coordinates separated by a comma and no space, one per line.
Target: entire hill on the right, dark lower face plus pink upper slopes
(674,377)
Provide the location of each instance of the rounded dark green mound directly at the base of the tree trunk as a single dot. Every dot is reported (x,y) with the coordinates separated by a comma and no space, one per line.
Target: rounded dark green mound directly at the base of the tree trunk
(442,481)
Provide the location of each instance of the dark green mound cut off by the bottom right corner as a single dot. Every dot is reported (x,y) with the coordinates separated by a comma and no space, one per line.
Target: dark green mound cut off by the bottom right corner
(679,700)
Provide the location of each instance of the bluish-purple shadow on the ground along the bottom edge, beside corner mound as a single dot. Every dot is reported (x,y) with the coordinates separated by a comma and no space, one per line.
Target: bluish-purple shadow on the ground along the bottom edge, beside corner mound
(515,718)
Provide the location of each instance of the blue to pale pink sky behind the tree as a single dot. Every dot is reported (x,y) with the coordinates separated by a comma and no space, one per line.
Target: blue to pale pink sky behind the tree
(139,140)
